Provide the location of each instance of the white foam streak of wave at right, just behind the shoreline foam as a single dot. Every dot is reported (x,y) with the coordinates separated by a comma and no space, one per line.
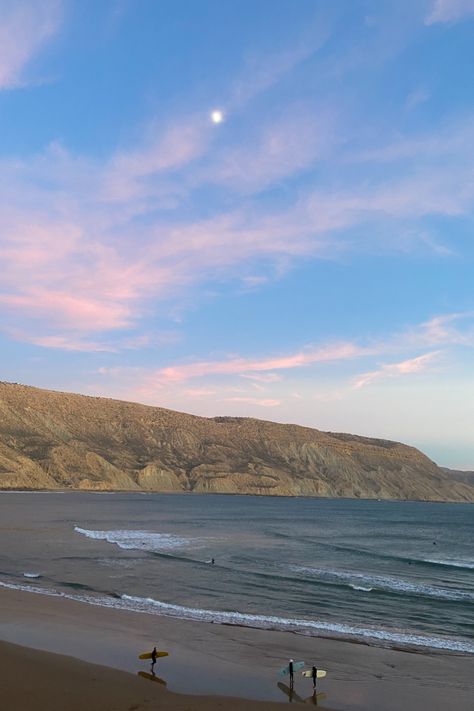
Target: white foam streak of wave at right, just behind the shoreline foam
(385,583)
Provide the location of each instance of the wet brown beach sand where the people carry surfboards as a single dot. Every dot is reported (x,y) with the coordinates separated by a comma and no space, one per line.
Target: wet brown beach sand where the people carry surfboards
(207,662)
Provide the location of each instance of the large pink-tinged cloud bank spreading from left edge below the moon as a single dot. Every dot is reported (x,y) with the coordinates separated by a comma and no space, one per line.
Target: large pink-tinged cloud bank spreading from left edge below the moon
(90,246)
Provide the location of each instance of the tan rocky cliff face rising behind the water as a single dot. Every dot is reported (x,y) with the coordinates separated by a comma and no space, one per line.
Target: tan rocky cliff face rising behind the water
(51,440)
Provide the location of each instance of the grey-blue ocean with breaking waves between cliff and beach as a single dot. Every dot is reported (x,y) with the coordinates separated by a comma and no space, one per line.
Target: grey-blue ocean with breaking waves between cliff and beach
(387,573)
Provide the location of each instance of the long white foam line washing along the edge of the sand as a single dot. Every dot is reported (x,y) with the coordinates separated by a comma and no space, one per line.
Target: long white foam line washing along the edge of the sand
(312,627)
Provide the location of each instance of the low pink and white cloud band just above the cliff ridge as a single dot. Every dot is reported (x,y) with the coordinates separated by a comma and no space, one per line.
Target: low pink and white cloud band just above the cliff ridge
(218,381)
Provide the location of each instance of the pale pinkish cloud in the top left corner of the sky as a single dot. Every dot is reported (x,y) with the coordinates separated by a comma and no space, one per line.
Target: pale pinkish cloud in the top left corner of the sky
(25,27)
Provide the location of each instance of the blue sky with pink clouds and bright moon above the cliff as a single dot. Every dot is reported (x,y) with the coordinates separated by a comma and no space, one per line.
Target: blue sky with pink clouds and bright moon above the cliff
(255,208)
